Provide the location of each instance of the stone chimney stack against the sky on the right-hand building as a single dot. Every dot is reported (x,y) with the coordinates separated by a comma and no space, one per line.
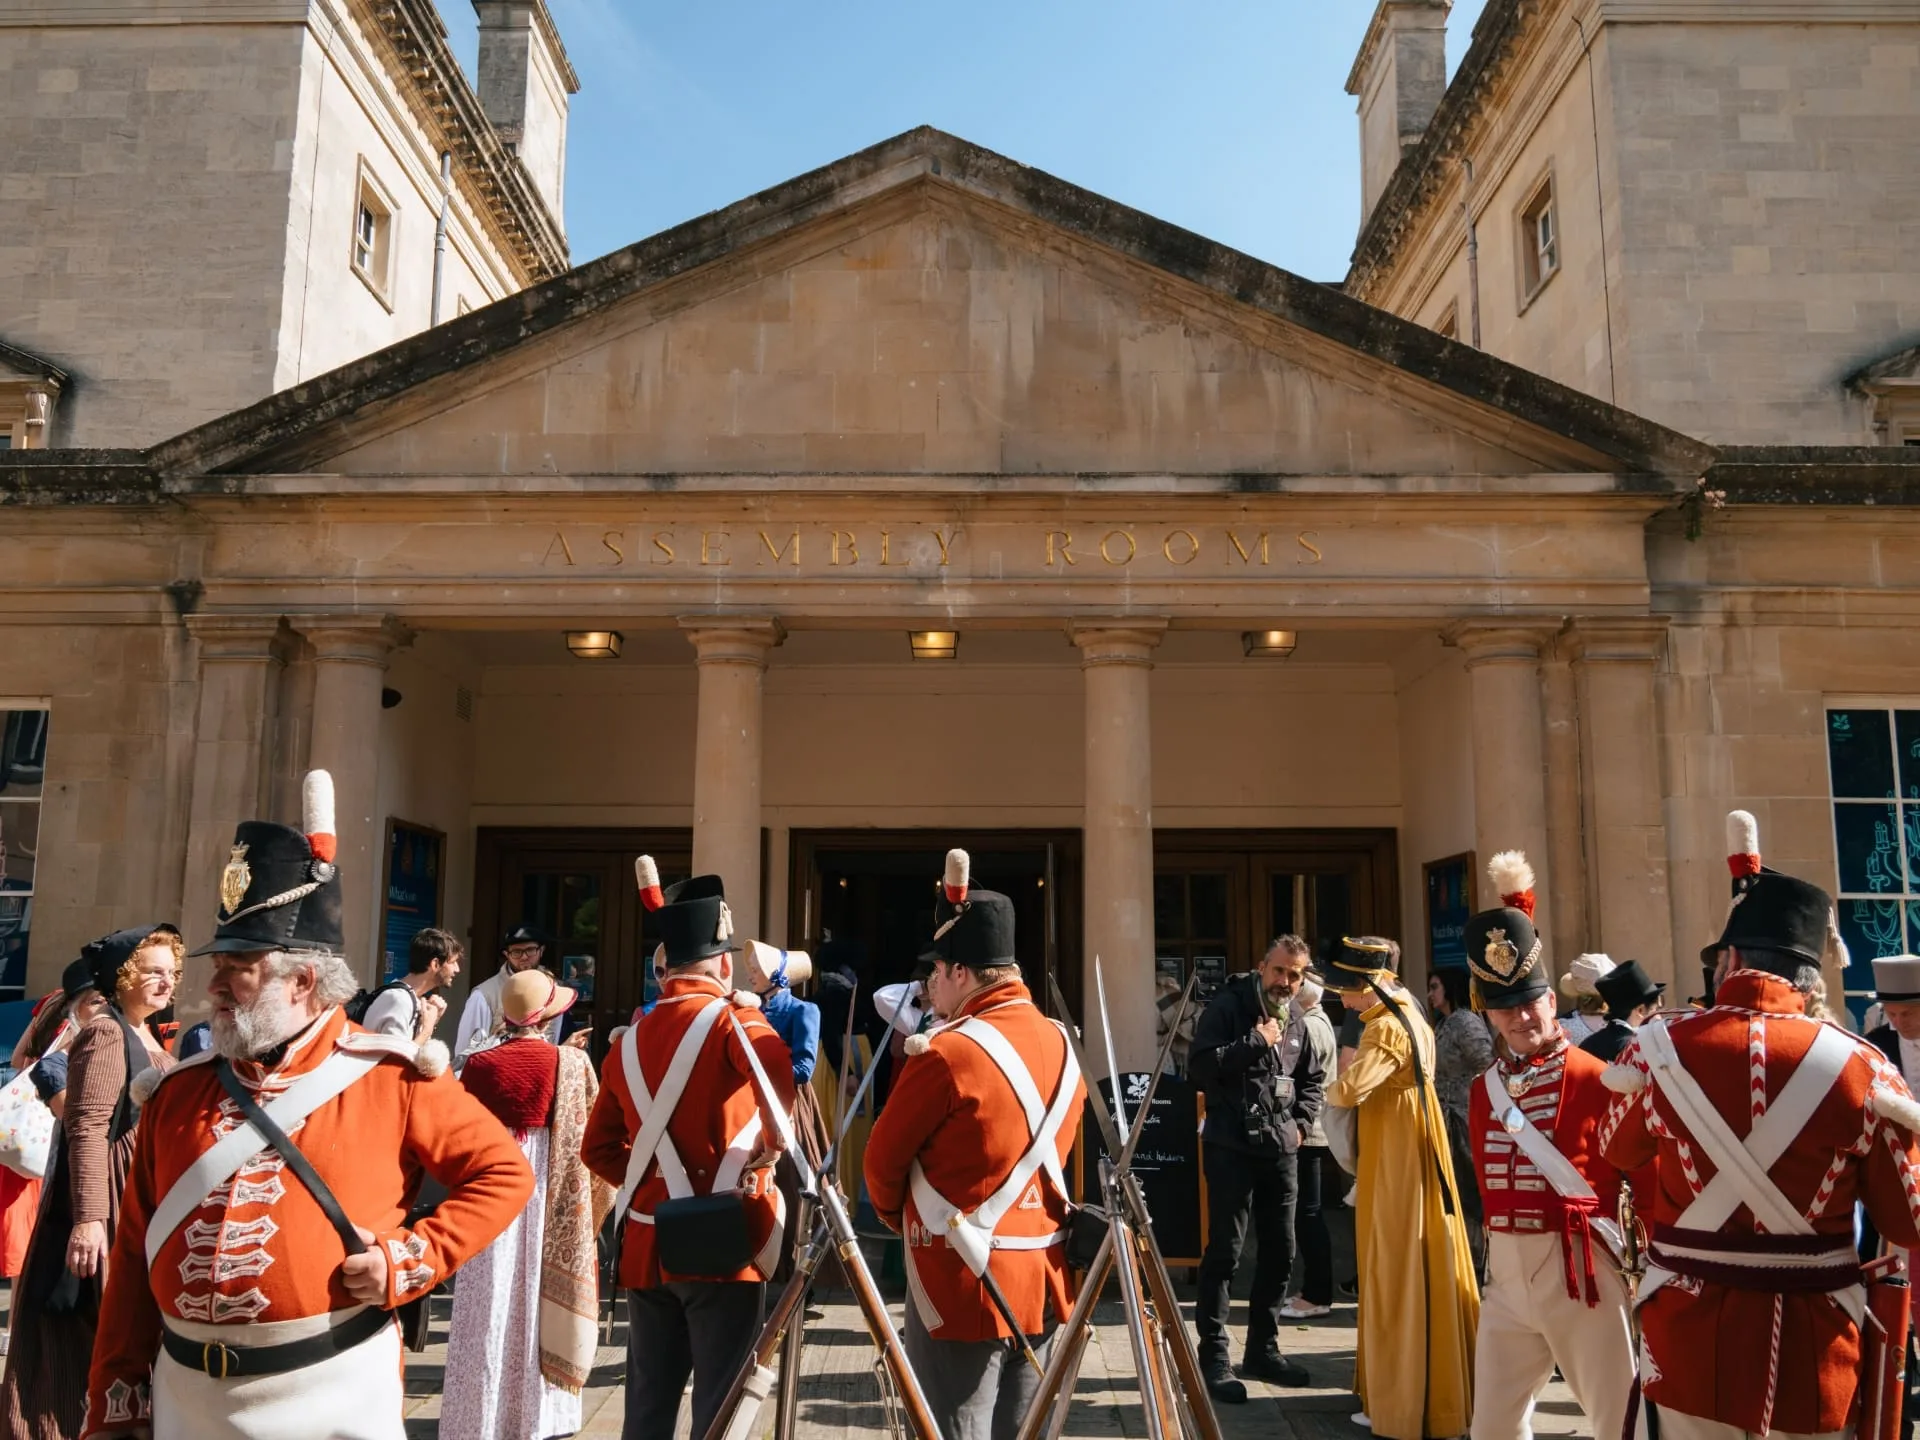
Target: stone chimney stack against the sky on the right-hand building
(1399,80)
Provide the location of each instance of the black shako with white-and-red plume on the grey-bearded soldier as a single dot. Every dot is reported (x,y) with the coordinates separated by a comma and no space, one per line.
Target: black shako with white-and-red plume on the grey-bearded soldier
(281,888)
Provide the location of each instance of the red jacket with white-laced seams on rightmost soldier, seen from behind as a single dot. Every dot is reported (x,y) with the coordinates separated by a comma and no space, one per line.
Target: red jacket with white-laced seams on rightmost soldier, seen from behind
(1714,1351)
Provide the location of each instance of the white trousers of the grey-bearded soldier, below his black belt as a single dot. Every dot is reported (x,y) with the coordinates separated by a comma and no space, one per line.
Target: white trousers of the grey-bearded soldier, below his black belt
(358,1395)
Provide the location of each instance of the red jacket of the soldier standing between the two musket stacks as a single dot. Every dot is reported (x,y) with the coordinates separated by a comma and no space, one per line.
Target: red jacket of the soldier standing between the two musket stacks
(957,1115)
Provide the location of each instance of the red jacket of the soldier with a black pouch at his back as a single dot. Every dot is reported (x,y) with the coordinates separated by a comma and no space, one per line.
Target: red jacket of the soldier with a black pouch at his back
(719,1103)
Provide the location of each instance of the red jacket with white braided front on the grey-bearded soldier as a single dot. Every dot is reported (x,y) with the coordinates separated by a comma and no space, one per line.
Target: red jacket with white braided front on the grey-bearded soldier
(260,1249)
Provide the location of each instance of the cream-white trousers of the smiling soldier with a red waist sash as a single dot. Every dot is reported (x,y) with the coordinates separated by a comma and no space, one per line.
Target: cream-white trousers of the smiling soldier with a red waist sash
(1529,1326)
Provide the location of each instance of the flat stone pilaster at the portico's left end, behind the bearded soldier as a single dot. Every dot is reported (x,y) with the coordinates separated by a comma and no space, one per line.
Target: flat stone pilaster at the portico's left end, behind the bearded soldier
(241,661)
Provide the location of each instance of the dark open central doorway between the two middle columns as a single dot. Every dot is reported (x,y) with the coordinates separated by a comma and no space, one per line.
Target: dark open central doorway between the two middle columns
(878,890)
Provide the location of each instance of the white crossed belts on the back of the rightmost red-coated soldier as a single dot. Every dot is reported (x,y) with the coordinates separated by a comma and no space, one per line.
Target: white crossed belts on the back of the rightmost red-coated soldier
(1740,1166)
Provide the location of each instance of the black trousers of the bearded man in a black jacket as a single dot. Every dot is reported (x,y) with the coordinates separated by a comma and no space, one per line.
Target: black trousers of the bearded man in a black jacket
(1239,1188)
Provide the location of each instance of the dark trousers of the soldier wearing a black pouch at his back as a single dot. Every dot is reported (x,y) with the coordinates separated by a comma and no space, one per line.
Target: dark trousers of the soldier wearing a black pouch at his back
(702,1330)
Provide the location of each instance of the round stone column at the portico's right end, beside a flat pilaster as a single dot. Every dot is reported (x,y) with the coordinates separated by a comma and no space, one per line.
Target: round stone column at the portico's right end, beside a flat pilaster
(1510,798)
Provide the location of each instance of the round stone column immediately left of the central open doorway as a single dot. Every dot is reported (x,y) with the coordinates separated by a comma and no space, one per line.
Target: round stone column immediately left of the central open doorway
(727,756)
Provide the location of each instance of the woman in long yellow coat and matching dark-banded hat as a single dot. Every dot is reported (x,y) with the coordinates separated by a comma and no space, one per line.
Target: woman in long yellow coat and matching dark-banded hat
(1418,1299)
